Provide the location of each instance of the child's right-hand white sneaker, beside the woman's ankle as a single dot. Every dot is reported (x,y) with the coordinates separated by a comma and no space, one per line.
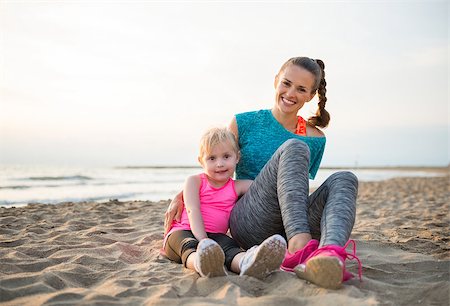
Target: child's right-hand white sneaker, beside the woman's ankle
(260,261)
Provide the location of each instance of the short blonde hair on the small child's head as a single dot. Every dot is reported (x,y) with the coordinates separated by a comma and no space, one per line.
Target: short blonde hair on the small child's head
(214,136)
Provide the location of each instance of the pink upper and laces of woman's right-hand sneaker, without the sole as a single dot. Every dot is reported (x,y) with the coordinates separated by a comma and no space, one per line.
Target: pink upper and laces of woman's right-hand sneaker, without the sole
(341,252)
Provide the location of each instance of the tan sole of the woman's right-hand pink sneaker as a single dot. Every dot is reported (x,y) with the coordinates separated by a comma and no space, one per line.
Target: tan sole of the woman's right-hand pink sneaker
(325,272)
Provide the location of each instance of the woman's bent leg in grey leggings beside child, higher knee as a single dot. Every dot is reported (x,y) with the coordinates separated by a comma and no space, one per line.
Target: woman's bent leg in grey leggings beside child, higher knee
(277,201)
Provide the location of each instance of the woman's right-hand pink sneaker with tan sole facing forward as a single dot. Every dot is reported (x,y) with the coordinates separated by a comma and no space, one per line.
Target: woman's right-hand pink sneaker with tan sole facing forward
(325,267)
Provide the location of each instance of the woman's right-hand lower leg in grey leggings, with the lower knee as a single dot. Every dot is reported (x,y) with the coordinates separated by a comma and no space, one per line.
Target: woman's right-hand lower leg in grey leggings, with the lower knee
(332,209)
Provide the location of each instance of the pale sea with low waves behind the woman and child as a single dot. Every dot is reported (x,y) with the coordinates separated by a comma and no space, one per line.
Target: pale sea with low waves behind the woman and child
(85,186)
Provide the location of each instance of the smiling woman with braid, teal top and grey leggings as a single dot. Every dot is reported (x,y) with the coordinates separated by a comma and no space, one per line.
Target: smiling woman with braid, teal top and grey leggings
(280,151)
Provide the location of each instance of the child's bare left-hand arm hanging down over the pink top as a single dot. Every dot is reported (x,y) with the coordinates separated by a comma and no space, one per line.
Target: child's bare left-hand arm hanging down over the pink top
(192,202)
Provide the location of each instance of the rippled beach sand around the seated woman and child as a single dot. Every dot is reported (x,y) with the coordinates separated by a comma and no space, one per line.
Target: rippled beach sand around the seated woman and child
(108,254)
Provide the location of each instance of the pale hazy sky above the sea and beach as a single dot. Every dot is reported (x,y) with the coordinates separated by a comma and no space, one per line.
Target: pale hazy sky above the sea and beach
(127,83)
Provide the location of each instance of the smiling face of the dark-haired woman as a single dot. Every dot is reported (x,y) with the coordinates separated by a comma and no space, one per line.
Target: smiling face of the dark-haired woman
(293,88)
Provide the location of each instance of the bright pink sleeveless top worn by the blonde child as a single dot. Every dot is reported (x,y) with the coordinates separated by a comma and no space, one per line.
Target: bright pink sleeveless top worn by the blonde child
(215,207)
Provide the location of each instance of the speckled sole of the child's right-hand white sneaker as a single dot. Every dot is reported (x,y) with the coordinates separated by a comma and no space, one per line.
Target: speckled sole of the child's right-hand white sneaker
(268,258)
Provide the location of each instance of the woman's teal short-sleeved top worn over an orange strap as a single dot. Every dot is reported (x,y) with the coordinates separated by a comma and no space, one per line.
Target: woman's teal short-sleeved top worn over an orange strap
(260,135)
